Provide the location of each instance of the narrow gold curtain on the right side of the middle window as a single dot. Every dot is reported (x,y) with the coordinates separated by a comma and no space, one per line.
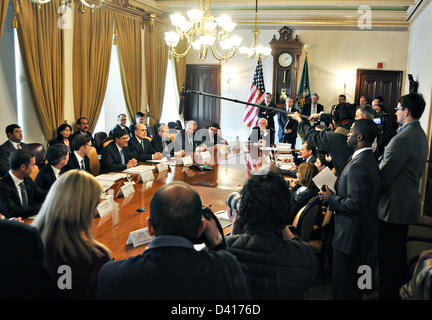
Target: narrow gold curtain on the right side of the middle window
(129,48)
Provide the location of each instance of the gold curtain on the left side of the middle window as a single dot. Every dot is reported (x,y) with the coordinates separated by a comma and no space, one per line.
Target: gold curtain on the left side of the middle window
(93,32)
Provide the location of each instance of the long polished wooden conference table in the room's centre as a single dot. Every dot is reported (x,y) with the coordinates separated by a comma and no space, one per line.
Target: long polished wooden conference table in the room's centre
(230,172)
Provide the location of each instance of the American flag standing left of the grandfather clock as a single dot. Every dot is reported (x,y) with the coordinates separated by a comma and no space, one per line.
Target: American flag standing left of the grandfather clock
(256,96)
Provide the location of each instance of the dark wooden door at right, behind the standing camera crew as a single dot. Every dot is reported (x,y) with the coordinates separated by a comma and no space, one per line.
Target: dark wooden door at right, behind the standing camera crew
(372,83)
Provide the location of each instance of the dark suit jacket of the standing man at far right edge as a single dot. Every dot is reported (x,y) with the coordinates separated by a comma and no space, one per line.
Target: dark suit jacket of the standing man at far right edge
(402,167)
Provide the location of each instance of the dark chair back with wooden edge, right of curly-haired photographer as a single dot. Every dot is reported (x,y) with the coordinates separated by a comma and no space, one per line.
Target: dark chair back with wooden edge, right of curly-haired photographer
(305,218)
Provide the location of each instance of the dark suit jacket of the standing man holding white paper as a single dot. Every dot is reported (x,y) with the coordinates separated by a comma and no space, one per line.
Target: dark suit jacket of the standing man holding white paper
(356,205)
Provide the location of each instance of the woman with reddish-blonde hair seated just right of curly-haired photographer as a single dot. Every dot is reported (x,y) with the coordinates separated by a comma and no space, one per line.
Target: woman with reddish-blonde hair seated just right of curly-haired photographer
(303,189)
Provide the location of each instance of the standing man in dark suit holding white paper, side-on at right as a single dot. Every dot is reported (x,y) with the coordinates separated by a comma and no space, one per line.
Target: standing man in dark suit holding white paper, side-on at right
(356,208)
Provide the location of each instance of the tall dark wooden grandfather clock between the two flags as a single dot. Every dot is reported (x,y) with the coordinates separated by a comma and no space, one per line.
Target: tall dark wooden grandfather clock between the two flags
(286,53)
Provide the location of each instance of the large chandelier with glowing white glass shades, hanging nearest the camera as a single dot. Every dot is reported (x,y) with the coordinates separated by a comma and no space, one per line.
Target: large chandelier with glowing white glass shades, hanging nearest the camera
(203,33)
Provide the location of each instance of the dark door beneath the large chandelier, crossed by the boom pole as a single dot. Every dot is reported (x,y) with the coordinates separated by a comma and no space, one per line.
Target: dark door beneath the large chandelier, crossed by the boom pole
(205,78)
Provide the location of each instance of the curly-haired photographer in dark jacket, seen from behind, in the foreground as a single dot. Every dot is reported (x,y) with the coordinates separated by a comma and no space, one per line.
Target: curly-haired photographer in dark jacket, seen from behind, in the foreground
(277,265)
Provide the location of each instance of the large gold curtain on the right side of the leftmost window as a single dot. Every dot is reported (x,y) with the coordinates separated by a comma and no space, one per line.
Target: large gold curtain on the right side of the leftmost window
(41,44)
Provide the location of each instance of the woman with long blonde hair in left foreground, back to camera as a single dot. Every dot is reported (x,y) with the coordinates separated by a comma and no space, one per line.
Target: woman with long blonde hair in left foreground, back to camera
(65,226)
